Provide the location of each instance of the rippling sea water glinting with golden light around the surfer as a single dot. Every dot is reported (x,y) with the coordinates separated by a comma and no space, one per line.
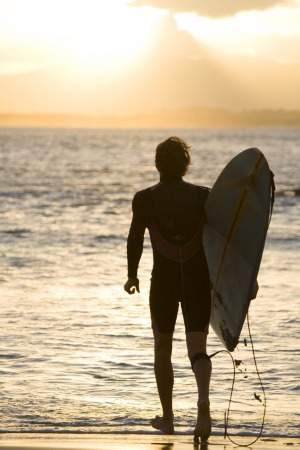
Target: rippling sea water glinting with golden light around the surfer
(76,351)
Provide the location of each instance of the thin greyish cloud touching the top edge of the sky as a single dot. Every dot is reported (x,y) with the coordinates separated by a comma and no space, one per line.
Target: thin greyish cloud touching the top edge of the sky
(210,8)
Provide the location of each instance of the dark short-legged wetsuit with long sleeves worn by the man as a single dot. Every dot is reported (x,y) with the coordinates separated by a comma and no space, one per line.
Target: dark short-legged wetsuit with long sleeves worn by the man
(172,210)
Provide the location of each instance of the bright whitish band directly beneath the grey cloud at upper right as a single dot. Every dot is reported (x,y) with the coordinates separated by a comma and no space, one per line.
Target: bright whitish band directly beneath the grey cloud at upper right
(272,34)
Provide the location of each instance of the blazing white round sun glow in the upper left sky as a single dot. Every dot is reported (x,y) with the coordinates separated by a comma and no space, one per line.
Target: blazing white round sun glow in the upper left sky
(108,36)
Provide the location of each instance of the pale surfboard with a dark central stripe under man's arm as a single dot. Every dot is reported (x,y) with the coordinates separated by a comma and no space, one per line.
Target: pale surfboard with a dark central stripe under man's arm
(237,215)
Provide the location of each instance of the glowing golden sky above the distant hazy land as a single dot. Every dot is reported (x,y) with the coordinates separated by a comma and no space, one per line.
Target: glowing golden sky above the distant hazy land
(122,57)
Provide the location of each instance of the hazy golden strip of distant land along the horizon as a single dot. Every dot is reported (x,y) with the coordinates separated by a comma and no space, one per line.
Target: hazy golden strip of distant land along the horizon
(193,117)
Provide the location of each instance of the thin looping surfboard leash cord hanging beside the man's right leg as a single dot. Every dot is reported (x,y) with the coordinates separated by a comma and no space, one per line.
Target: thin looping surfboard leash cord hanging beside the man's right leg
(257,397)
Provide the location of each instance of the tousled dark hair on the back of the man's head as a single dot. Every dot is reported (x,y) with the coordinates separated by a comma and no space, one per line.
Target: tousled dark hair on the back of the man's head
(172,157)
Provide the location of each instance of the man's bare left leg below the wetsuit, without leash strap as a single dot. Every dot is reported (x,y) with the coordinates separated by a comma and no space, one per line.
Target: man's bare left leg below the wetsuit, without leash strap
(163,370)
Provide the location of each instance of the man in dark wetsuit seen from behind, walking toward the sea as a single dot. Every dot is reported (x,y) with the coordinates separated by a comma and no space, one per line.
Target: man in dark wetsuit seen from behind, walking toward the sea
(173,212)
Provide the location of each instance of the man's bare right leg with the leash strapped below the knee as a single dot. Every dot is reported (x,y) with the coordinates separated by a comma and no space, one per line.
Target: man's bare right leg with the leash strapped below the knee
(196,344)
